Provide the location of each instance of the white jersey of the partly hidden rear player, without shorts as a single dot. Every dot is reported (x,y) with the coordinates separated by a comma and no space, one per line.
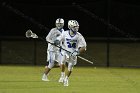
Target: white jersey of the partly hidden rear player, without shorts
(53,34)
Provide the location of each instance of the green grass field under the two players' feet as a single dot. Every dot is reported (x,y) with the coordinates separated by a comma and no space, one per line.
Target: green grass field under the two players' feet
(27,79)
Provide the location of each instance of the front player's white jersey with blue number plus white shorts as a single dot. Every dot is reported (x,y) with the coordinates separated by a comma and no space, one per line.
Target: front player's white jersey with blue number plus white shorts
(70,43)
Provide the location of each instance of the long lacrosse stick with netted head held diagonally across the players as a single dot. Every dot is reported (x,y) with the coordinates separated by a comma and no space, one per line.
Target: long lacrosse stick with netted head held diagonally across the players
(30,34)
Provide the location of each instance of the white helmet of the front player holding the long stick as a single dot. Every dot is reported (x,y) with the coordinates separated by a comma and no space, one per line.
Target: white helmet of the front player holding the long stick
(73,25)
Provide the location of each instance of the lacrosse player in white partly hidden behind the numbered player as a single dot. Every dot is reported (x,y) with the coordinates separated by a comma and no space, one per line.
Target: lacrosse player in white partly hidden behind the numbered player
(53,52)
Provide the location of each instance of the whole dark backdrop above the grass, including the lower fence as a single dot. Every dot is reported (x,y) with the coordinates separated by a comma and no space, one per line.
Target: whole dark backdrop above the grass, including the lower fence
(110,27)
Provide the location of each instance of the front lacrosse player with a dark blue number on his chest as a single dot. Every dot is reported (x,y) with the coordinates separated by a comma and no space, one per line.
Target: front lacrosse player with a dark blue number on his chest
(74,42)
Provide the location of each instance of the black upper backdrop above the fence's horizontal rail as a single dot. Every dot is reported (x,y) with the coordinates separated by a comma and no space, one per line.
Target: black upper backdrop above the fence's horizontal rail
(97,18)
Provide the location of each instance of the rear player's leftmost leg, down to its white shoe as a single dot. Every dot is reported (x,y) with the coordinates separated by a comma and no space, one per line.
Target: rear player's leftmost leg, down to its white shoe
(49,67)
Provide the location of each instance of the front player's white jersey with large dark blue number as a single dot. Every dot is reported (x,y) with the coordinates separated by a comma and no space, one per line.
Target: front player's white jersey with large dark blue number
(71,43)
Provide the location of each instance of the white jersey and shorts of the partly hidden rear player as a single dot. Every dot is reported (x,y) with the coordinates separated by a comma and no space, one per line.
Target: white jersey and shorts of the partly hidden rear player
(53,52)
